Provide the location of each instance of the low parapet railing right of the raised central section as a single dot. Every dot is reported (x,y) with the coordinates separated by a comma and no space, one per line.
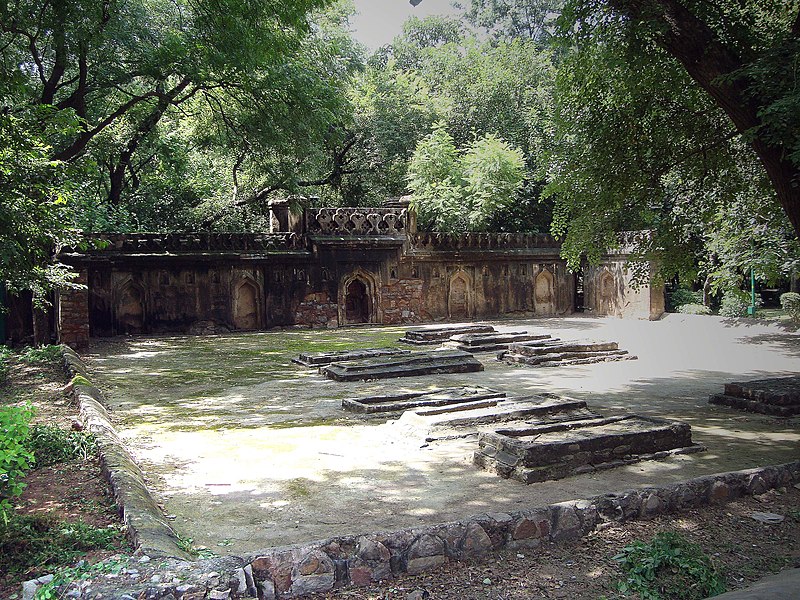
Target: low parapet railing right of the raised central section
(433,242)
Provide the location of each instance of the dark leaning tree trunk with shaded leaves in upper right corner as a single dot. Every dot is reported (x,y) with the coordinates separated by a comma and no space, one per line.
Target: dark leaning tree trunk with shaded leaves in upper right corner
(739,53)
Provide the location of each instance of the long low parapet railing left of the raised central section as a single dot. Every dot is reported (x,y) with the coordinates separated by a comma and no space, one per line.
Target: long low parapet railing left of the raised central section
(162,243)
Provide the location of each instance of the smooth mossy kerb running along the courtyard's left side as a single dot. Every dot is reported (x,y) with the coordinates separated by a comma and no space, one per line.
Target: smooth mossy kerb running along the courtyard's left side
(146,526)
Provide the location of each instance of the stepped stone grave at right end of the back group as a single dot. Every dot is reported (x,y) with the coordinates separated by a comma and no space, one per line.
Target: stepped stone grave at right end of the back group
(553,352)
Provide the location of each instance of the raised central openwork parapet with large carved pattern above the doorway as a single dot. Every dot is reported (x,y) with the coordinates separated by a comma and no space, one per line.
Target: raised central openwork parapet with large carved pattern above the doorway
(357,221)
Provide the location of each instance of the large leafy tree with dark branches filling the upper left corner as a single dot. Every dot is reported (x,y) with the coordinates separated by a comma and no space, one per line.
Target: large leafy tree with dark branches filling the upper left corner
(253,72)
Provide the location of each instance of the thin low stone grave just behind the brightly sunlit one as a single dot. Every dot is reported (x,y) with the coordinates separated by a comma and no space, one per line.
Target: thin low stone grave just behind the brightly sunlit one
(470,396)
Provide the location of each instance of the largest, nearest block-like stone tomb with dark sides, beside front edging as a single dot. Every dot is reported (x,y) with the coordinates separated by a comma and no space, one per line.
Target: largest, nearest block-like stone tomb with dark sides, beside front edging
(539,453)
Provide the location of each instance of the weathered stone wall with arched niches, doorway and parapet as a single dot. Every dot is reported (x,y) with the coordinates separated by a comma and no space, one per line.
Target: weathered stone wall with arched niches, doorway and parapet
(336,267)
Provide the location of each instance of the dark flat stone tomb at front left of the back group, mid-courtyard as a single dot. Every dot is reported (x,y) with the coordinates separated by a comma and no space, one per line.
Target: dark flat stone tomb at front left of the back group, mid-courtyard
(409,365)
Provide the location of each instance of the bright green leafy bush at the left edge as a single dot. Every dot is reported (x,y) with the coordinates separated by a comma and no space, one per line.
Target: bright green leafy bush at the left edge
(15,457)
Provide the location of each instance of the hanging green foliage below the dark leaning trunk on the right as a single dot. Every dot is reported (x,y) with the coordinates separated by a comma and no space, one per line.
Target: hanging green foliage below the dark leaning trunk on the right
(641,146)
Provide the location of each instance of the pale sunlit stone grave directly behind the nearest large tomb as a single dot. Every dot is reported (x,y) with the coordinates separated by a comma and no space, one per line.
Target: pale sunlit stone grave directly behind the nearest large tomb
(462,420)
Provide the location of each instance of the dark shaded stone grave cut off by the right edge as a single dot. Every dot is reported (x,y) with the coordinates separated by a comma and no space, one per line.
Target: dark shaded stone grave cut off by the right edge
(779,396)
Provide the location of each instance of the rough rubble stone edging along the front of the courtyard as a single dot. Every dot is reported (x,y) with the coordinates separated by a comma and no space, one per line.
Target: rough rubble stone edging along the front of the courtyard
(293,571)
